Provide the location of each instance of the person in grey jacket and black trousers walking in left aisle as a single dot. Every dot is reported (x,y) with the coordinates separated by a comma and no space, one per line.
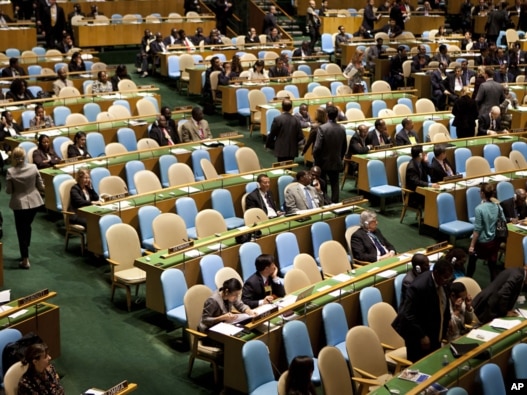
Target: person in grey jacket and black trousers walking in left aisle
(23,183)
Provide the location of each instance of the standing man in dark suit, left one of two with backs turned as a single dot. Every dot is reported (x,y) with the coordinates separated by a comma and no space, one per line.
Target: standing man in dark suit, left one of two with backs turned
(286,134)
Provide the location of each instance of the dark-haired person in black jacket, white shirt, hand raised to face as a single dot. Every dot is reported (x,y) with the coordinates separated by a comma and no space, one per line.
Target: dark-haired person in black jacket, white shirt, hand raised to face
(264,285)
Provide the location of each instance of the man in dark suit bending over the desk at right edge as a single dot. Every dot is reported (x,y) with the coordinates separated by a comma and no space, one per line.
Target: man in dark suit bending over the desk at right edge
(499,297)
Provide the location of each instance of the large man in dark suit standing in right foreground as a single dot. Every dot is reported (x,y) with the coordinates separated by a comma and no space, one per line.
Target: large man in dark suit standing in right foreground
(425,314)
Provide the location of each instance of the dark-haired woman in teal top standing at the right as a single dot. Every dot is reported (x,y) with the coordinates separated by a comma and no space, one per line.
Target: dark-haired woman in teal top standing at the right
(484,244)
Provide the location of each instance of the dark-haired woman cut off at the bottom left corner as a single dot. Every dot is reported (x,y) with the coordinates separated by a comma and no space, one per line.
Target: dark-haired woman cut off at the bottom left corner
(41,377)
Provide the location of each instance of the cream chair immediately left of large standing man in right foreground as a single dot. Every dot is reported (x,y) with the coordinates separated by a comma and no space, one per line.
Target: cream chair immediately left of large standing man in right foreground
(380,318)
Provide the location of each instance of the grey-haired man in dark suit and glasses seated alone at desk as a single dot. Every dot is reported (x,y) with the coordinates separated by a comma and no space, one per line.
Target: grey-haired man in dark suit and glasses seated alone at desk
(368,243)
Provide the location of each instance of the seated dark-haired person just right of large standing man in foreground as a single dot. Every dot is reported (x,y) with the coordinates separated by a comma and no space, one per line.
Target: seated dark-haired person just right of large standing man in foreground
(461,311)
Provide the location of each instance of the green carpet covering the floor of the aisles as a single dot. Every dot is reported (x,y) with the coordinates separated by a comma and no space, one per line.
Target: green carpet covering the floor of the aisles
(102,343)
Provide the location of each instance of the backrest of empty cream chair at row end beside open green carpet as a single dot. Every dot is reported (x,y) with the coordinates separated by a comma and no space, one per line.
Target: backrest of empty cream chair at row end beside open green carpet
(117,236)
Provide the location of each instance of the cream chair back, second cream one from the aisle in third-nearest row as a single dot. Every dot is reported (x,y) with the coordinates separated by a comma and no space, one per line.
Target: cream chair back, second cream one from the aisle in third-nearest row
(169,229)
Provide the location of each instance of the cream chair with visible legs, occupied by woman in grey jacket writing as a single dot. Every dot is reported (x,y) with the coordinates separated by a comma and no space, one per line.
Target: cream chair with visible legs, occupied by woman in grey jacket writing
(193,301)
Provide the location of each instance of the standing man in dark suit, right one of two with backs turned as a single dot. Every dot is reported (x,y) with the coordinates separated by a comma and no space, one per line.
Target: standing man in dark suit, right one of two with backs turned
(328,152)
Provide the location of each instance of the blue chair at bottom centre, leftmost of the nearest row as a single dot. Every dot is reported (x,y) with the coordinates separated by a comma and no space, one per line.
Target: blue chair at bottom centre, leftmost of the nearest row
(258,368)
